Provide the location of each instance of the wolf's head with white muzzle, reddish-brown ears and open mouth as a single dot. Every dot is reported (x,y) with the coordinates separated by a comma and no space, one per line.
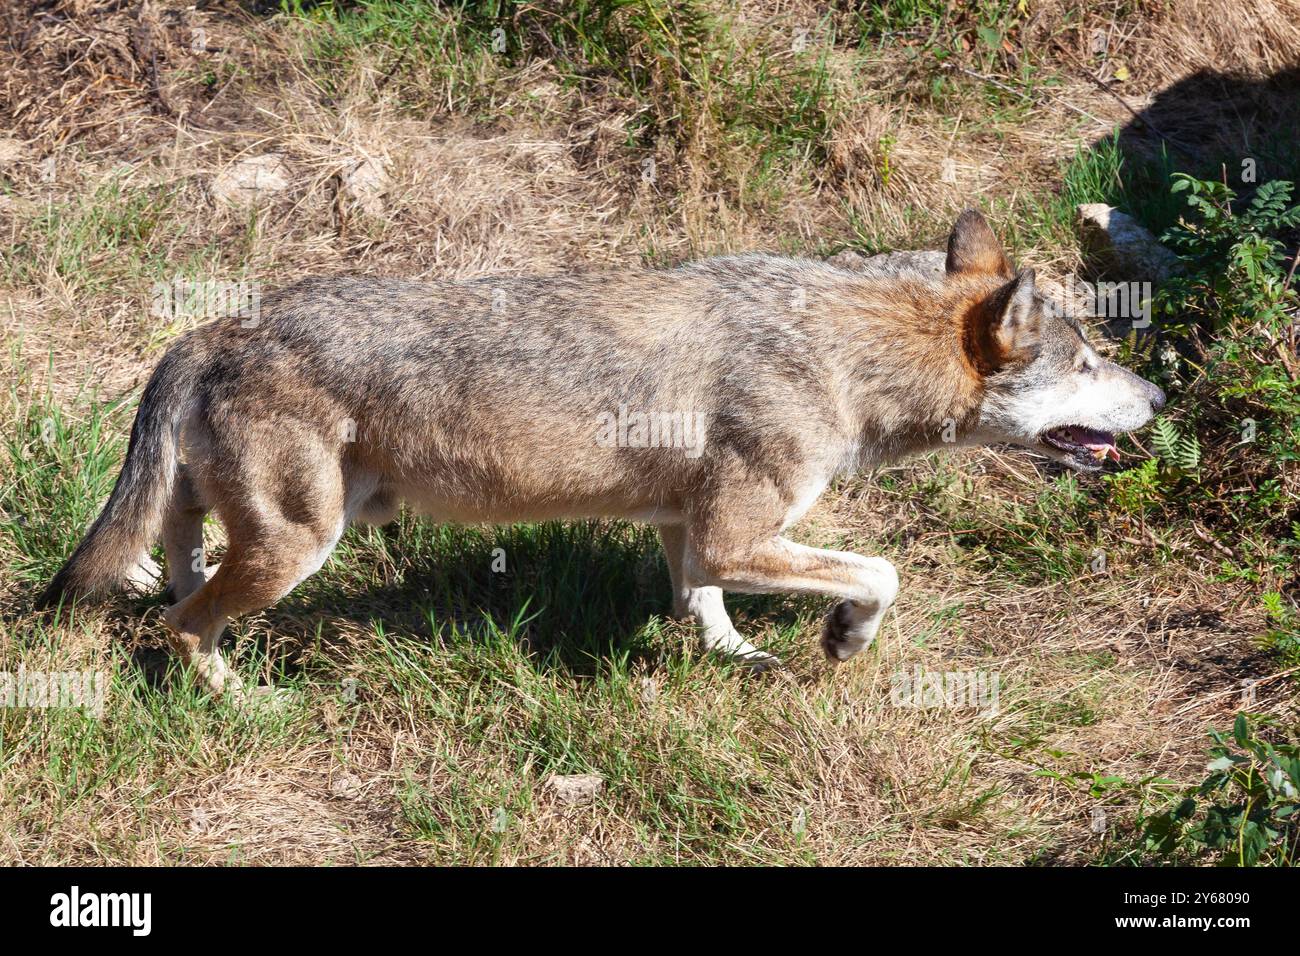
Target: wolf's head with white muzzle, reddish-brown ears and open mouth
(1045,388)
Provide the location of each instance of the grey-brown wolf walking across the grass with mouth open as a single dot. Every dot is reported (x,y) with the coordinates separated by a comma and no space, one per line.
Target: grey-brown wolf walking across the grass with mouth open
(716,401)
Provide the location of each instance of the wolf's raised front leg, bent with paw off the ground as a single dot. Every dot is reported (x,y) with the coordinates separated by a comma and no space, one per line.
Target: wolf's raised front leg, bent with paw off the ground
(723,559)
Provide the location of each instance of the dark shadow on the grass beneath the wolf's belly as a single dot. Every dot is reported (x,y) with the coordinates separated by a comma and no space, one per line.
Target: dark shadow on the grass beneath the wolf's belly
(574,596)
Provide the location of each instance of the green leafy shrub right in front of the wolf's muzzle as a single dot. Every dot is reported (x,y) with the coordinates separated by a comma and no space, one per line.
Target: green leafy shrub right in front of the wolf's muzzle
(1229,445)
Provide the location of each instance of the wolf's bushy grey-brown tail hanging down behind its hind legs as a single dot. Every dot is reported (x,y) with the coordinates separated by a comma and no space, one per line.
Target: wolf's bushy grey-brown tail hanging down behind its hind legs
(133,517)
